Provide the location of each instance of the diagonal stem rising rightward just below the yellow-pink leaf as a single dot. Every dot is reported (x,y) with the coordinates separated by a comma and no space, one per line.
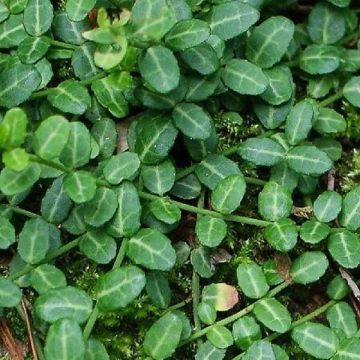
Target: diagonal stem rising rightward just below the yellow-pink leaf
(230,319)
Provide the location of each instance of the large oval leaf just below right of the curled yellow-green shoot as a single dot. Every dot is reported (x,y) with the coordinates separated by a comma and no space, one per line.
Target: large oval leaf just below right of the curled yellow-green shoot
(159,67)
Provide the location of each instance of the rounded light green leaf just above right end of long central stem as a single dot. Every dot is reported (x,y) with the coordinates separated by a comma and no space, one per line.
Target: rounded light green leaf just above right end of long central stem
(274,202)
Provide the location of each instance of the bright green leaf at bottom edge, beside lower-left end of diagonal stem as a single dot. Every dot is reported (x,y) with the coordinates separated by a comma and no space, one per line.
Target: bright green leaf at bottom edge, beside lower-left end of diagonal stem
(163,337)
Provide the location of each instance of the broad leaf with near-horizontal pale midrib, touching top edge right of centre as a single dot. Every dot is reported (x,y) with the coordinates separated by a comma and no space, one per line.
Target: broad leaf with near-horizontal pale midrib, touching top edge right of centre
(231,19)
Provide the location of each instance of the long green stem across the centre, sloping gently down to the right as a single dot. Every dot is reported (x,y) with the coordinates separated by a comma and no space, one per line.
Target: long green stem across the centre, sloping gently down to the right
(196,210)
